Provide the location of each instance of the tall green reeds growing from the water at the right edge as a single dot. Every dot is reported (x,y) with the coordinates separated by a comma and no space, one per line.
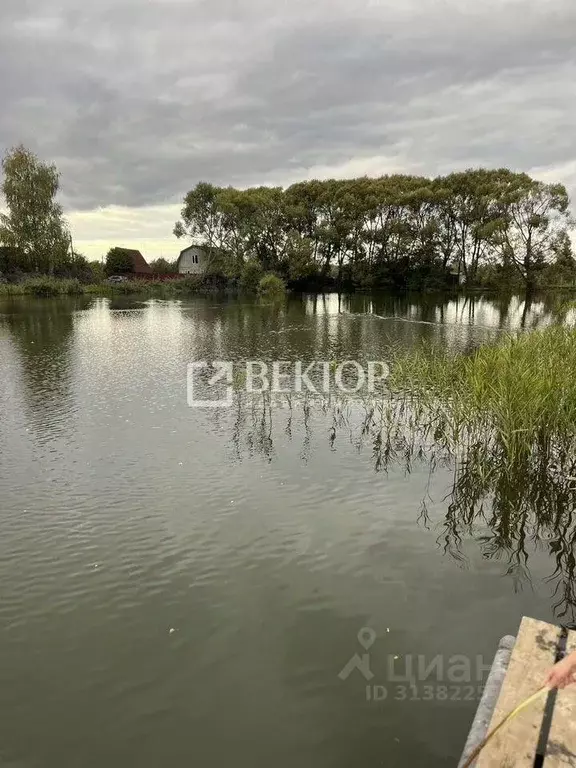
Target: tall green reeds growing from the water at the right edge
(516,398)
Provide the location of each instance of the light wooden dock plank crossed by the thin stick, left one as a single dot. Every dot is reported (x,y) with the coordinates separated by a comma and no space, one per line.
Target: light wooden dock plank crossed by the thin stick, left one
(533,655)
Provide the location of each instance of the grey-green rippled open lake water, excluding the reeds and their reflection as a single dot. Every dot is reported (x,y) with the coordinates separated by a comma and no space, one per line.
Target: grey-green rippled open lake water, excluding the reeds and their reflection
(186,586)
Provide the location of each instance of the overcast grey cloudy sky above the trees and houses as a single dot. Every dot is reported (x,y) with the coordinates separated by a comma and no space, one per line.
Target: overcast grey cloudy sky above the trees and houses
(138,100)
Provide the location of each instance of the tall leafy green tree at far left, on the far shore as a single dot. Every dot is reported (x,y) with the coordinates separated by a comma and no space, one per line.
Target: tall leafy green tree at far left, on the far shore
(34,224)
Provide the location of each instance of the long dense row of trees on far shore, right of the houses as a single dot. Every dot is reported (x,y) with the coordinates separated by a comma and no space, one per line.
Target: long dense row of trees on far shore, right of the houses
(472,227)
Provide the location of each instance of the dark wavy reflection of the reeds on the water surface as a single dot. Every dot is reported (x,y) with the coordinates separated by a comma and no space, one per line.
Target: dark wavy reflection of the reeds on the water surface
(508,511)
